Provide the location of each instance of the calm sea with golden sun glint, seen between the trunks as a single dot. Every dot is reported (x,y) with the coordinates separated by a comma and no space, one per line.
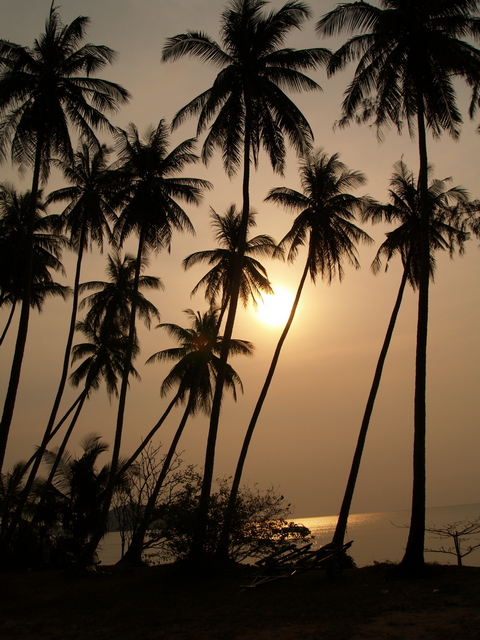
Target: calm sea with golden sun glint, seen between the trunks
(377,537)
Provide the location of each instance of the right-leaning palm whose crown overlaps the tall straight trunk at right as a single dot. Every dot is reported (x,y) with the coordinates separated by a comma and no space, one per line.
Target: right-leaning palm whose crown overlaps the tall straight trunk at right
(404,208)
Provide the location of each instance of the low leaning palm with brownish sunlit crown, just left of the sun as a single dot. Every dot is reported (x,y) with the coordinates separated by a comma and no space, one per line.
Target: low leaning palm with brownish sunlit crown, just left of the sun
(195,375)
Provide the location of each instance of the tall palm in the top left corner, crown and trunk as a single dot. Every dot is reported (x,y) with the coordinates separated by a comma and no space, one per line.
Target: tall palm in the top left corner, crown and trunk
(42,97)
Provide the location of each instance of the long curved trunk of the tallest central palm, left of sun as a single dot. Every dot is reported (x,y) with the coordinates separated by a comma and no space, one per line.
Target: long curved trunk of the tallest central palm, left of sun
(198,542)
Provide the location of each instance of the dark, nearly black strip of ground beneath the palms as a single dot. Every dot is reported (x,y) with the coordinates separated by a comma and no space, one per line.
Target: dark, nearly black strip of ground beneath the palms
(170,603)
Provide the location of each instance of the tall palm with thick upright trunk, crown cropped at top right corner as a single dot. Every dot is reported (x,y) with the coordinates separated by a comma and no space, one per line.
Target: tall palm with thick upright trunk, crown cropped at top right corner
(410,53)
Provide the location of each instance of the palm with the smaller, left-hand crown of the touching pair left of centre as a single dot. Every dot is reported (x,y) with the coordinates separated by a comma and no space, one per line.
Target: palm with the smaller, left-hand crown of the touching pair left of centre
(86,219)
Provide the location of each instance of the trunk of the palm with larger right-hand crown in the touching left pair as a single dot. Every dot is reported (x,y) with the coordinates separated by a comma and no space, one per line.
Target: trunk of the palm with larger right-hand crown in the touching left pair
(108,495)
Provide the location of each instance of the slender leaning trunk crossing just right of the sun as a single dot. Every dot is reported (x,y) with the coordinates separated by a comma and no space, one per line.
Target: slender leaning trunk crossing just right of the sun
(230,512)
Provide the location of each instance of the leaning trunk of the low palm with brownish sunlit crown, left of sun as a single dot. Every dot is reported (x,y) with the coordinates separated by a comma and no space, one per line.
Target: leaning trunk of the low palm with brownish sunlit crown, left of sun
(134,551)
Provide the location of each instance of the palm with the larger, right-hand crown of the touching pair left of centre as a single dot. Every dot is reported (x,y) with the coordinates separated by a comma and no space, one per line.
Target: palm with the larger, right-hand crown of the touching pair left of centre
(148,198)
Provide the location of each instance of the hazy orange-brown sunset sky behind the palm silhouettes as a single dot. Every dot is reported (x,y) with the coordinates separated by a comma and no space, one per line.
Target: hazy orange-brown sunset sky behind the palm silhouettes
(306,434)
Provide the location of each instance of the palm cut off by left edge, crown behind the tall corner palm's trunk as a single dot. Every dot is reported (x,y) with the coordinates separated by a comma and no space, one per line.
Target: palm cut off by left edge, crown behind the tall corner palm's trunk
(47,248)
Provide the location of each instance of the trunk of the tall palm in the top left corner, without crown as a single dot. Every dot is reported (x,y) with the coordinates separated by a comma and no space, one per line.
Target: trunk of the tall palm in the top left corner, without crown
(9,405)
